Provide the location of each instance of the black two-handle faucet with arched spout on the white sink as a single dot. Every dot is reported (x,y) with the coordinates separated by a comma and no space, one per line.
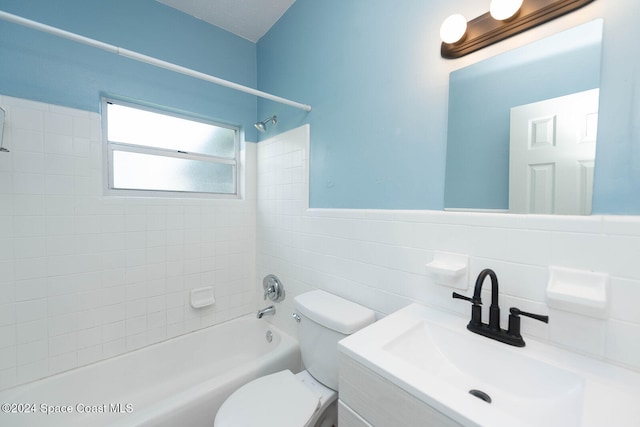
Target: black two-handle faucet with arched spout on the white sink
(492,330)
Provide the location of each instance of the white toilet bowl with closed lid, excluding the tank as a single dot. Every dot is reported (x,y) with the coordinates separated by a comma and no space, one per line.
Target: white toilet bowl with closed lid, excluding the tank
(280,400)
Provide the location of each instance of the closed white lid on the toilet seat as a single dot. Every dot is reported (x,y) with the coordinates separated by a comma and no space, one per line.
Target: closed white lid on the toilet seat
(276,400)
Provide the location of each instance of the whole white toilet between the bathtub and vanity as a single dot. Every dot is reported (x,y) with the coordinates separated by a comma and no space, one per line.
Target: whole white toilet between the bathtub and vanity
(307,399)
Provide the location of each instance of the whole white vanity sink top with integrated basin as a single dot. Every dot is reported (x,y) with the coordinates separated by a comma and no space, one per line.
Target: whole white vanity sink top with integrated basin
(481,382)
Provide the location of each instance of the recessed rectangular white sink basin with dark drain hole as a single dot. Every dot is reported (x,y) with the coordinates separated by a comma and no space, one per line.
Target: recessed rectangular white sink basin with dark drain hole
(513,383)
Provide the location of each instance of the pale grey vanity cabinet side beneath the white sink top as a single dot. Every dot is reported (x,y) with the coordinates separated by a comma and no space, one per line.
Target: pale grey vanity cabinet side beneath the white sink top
(367,399)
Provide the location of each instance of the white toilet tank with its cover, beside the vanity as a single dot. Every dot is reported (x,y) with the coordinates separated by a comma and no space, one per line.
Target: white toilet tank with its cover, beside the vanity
(325,319)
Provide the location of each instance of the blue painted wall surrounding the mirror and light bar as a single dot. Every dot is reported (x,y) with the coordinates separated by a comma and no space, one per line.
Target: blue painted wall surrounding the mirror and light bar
(372,71)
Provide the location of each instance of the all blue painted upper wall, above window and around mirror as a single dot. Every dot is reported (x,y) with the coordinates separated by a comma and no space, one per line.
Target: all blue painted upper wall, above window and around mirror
(370,68)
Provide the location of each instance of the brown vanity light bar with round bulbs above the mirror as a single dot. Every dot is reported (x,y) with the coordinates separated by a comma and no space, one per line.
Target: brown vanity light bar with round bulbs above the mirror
(505,19)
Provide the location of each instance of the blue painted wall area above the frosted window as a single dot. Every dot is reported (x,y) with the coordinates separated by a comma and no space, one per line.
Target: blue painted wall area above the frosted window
(46,68)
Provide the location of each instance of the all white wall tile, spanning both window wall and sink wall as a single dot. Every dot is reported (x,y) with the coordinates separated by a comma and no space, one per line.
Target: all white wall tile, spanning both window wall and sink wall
(85,277)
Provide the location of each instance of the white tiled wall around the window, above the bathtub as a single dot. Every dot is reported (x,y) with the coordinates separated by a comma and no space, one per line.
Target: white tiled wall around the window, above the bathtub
(84,277)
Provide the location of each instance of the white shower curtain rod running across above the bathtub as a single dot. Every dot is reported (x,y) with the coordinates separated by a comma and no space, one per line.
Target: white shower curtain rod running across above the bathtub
(147,59)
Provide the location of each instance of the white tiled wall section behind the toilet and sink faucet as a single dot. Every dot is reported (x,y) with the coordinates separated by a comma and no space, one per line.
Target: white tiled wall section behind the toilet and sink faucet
(377,258)
